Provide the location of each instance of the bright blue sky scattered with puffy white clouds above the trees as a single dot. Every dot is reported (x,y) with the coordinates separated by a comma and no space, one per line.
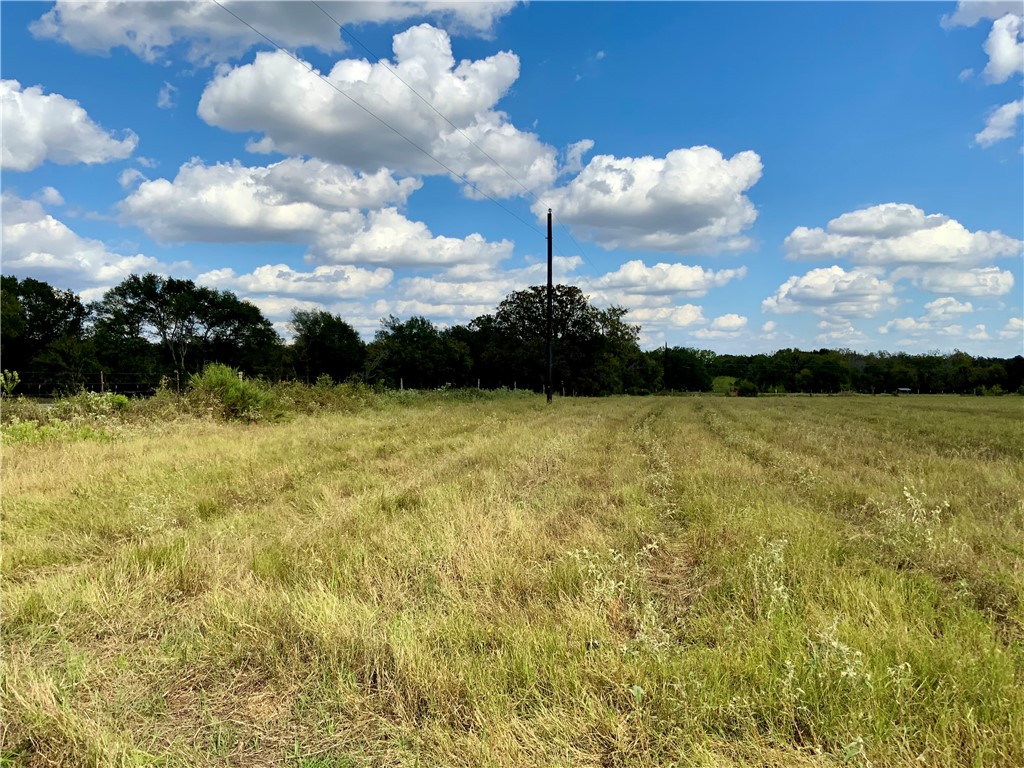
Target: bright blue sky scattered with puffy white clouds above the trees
(742,178)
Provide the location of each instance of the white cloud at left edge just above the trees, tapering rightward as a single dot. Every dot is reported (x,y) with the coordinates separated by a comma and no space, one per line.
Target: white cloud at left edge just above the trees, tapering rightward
(35,244)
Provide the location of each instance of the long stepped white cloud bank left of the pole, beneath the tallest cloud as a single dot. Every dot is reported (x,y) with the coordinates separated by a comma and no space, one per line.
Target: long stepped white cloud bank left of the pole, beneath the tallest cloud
(300,201)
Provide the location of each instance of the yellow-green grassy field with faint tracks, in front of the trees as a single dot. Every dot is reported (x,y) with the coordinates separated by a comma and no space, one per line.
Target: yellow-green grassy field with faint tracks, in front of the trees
(626,582)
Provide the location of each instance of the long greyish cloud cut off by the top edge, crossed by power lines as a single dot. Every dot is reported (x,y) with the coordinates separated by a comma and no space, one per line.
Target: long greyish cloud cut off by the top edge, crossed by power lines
(207,33)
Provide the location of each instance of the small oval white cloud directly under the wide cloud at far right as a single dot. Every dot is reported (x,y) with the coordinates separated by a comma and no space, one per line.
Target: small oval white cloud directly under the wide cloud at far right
(833,292)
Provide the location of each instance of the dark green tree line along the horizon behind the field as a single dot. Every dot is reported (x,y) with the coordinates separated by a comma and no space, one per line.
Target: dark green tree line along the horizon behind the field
(151,330)
